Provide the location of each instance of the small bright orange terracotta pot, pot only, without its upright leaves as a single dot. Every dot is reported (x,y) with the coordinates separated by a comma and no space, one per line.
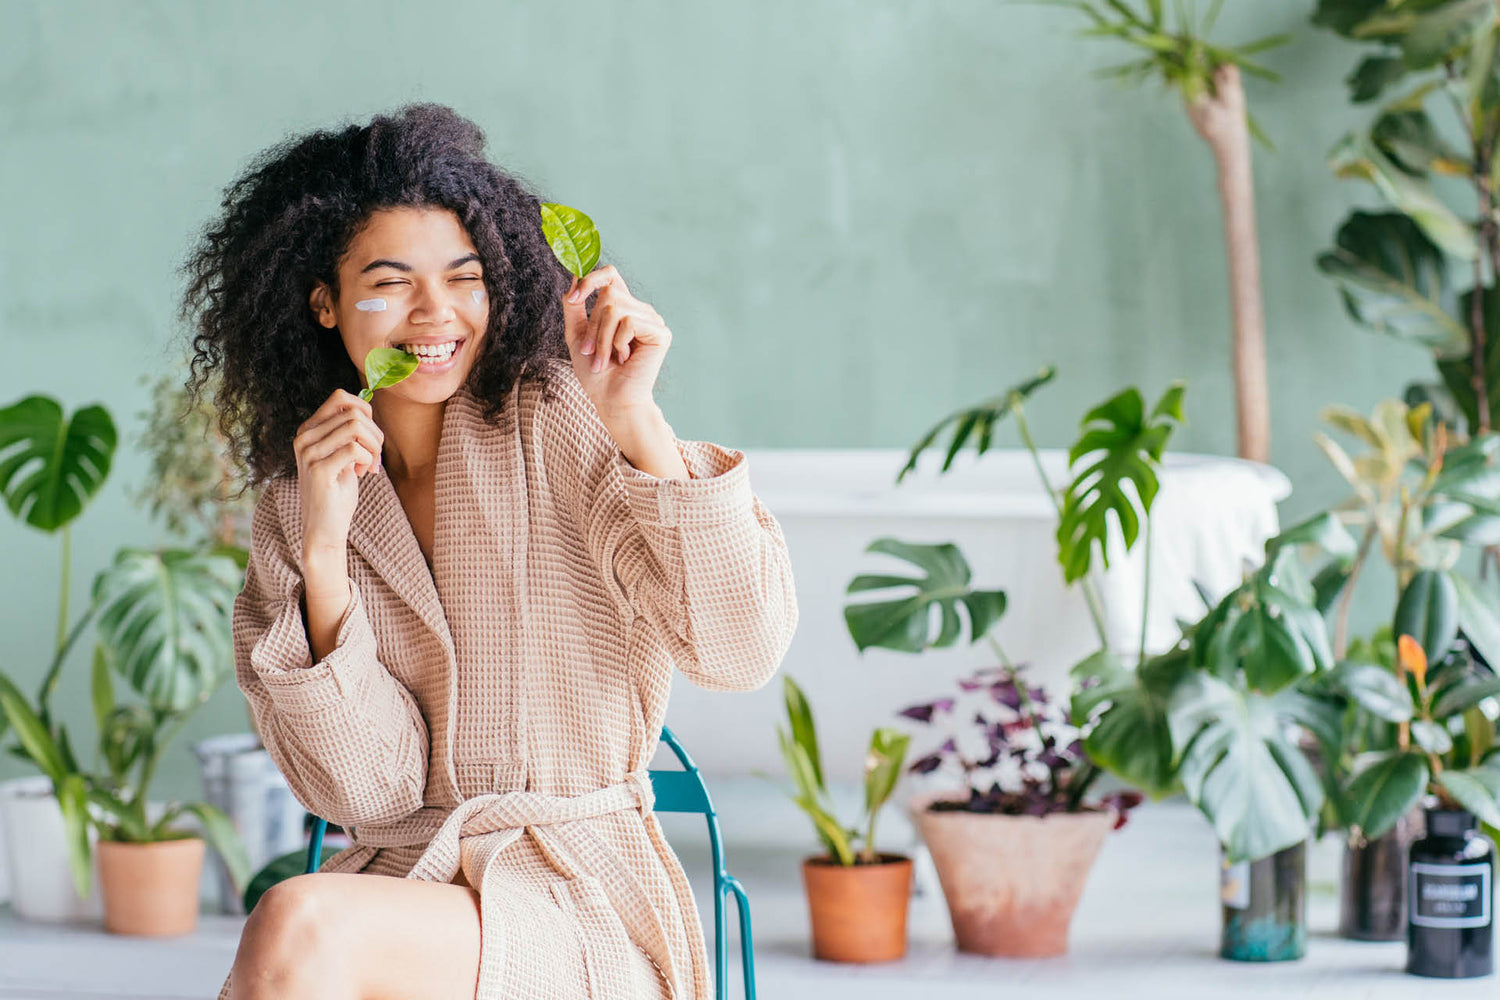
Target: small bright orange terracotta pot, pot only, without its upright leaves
(859,912)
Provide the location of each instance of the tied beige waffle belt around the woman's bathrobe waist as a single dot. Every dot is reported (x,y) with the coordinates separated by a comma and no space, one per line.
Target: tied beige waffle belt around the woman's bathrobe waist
(562,827)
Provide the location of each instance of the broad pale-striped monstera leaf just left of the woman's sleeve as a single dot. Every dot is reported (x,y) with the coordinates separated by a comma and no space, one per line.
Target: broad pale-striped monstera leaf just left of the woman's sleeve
(166,617)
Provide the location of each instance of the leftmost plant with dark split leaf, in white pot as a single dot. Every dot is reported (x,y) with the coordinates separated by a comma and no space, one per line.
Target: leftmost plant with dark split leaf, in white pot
(55,467)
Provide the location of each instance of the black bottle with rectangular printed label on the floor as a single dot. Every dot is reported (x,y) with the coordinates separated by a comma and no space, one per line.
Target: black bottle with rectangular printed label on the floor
(1451,899)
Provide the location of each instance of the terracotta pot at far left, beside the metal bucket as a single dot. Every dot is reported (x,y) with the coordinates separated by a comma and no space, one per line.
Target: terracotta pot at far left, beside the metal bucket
(151,890)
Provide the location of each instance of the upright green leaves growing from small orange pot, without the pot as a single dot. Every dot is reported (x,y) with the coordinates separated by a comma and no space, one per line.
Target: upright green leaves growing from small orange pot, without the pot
(883,768)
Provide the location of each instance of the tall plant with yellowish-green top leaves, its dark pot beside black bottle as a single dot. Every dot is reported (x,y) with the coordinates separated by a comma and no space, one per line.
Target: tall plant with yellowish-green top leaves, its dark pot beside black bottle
(1421,496)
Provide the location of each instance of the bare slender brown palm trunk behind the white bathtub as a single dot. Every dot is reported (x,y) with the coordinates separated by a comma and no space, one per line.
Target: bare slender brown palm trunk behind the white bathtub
(1220,119)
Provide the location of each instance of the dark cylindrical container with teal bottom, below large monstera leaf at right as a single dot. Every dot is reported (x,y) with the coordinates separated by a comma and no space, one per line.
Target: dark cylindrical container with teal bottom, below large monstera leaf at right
(1265,908)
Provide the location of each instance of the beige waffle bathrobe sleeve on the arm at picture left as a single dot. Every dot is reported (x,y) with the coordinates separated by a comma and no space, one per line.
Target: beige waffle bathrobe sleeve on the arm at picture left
(347,735)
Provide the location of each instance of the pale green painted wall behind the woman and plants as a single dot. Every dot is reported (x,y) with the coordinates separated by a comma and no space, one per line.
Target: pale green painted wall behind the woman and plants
(854,215)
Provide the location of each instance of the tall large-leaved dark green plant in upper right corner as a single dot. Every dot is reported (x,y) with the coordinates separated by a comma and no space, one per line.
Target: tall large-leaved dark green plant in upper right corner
(1432,74)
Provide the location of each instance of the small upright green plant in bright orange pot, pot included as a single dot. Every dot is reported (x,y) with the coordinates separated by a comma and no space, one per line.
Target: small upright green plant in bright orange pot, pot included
(856,896)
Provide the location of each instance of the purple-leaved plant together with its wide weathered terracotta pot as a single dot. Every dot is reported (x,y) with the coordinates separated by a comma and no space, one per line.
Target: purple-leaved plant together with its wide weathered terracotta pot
(1024,779)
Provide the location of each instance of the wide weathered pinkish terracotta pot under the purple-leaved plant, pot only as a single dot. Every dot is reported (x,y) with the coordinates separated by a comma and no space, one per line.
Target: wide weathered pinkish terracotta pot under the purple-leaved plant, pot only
(1012,882)
